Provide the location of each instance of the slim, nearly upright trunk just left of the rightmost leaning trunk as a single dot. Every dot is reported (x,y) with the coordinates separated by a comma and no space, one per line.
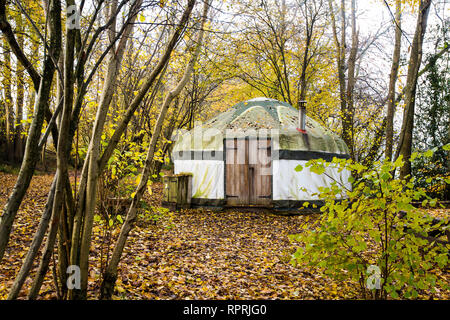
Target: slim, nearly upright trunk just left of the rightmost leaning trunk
(392,81)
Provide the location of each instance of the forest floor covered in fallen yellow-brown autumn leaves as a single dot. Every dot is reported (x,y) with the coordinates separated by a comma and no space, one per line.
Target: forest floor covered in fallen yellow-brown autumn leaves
(190,254)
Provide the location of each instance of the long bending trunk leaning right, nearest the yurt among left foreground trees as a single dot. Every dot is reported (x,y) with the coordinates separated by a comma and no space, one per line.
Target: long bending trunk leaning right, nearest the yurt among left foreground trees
(111,270)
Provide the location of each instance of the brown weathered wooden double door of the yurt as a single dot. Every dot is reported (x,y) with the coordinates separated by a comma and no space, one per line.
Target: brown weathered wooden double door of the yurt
(248,172)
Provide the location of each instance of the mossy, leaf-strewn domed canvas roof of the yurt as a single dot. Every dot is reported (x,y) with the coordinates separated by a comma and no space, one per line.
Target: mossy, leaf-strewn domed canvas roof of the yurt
(278,119)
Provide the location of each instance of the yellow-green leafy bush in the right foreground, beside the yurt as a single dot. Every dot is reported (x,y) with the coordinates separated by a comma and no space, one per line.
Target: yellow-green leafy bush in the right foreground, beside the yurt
(374,235)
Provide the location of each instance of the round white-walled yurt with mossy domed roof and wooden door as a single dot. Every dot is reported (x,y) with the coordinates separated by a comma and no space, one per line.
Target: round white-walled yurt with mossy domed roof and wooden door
(247,155)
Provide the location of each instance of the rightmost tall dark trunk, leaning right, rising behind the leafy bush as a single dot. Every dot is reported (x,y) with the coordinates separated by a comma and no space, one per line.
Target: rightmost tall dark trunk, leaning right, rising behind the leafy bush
(406,134)
